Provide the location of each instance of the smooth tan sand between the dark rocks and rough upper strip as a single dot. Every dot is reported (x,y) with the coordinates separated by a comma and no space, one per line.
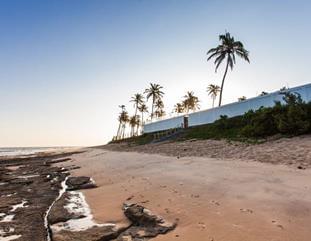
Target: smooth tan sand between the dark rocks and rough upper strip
(212,199)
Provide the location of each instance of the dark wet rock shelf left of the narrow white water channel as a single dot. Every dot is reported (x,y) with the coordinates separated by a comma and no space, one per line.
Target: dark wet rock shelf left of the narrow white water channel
(30,184)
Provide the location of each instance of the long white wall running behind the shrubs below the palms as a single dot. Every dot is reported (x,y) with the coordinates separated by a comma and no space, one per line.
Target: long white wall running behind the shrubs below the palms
(233,109)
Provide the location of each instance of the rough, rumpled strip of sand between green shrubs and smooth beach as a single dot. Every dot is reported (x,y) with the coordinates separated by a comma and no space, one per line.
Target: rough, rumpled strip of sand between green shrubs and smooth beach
(289,151)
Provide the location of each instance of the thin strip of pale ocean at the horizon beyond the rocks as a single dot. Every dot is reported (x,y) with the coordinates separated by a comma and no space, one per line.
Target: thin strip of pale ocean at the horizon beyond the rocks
(25,151)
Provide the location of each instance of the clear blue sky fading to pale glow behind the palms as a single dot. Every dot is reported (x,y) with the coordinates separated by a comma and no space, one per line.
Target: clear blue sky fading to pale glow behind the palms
(66,65)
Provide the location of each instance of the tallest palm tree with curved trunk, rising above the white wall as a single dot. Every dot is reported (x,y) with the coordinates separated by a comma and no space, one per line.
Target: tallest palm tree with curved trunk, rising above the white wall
(227,51)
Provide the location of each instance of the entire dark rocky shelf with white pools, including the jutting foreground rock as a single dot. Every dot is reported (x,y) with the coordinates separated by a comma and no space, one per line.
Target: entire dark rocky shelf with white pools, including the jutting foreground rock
(53,207)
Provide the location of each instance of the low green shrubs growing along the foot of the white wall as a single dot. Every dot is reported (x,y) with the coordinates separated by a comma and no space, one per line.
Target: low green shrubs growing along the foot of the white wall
(288,119)
